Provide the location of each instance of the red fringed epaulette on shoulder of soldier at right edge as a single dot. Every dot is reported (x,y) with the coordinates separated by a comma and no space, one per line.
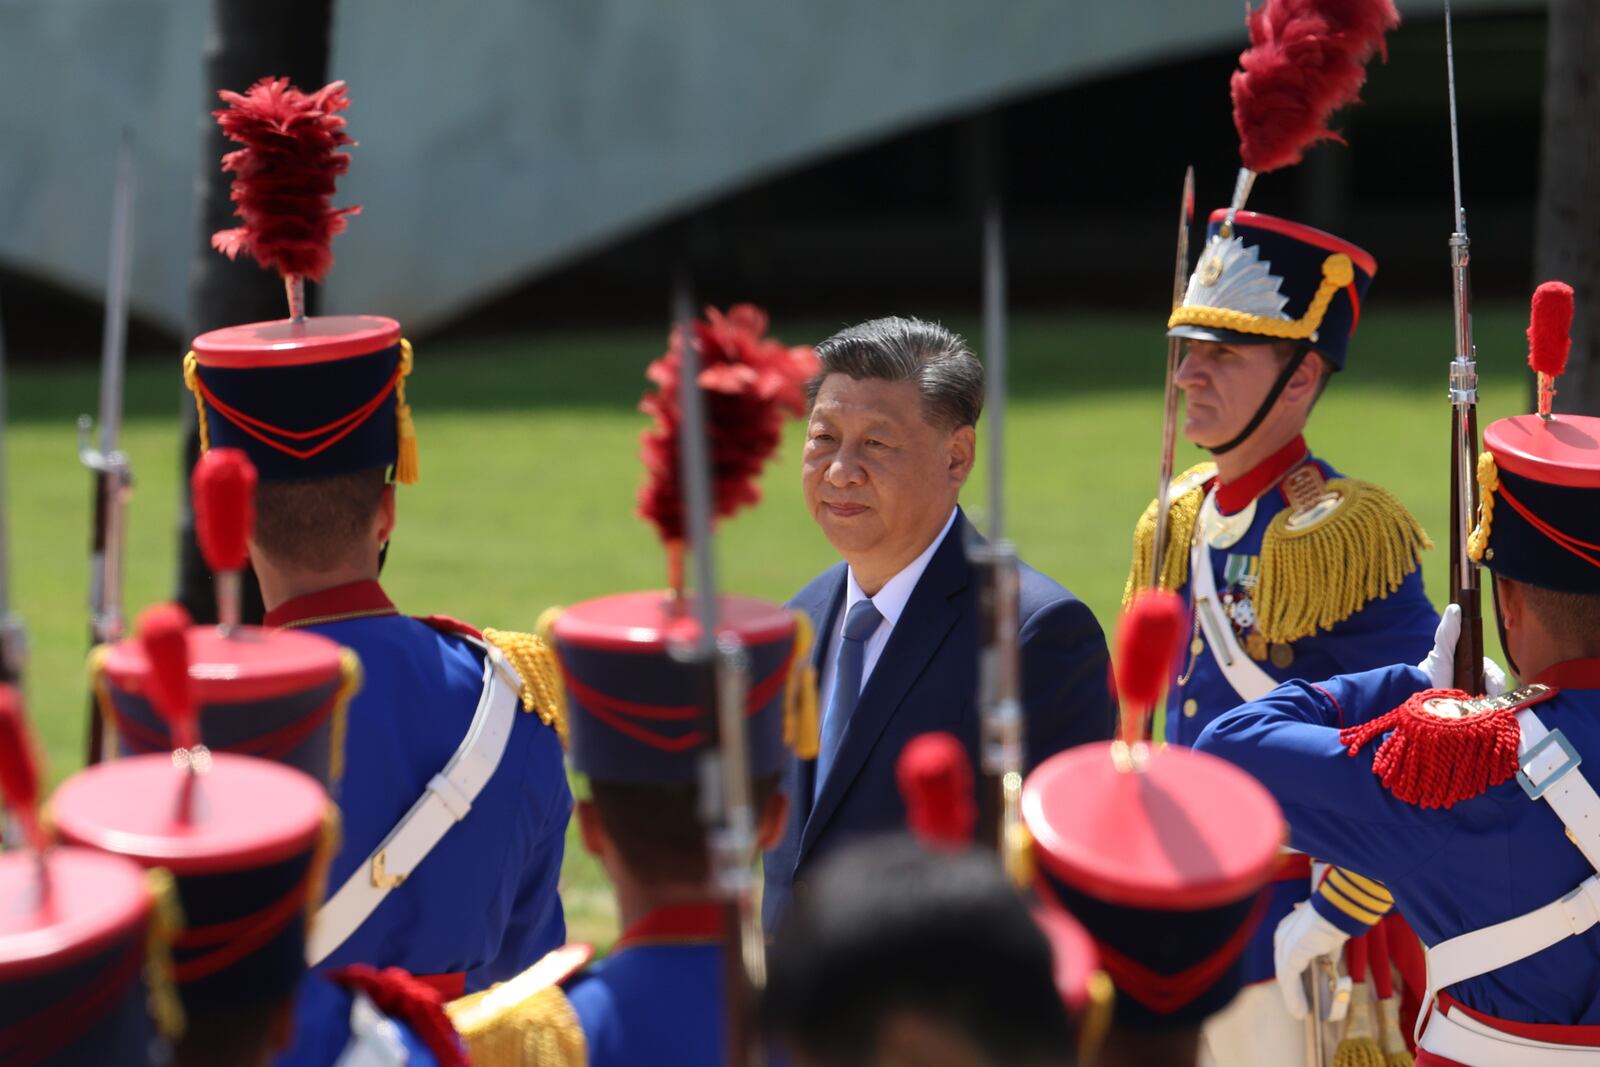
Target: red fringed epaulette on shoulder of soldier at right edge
(1446,746)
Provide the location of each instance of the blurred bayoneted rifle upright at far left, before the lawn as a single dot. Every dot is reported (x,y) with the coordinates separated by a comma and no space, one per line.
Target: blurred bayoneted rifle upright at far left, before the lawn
(113,476)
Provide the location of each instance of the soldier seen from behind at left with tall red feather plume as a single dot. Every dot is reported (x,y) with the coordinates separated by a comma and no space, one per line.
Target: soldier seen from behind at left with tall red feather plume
(454,794)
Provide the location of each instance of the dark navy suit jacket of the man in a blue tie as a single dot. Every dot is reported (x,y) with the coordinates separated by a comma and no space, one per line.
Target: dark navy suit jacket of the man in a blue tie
(927,679)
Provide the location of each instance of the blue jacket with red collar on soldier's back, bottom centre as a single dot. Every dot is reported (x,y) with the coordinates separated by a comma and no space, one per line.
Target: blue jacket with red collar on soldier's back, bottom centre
(658,999)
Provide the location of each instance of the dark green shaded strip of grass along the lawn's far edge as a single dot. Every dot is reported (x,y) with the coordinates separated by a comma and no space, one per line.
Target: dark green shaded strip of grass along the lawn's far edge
(1050,358)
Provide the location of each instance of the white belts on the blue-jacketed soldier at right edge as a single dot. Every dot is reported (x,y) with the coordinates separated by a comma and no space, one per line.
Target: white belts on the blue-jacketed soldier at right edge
(1548,772)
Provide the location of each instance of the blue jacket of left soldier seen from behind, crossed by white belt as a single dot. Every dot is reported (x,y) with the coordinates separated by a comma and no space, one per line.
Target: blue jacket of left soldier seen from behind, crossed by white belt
(484,903)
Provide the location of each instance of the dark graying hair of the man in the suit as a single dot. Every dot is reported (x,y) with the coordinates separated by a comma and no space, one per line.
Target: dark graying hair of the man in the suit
(895,350)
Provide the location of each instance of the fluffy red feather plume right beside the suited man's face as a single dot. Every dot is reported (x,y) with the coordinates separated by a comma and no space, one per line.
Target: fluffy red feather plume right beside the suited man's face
(751,382)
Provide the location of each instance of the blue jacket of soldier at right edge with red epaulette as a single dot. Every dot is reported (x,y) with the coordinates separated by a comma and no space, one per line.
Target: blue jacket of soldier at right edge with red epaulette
(1454,869)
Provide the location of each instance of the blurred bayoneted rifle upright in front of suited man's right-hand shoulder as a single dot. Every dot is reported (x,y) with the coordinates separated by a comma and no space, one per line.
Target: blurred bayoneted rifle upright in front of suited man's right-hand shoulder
(999,669)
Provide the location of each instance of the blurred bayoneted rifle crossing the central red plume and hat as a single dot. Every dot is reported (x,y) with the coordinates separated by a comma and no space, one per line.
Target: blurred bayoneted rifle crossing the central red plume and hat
(722,665)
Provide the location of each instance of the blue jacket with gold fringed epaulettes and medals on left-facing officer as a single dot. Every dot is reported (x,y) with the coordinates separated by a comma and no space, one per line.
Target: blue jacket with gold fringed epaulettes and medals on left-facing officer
(1364,613)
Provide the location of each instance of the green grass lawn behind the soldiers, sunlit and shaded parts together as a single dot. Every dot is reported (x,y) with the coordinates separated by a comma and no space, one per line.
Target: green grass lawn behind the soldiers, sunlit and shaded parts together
(529,476)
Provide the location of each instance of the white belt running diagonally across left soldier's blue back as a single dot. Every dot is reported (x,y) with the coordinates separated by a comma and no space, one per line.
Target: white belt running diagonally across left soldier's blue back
(442,805)
